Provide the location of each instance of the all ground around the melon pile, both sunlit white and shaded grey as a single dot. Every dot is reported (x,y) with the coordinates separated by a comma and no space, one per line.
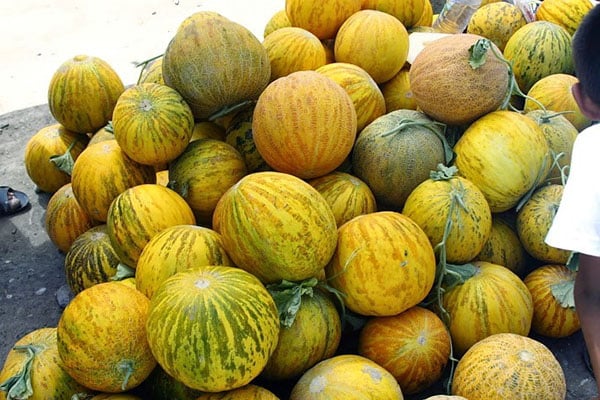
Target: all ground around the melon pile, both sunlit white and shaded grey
(40,36)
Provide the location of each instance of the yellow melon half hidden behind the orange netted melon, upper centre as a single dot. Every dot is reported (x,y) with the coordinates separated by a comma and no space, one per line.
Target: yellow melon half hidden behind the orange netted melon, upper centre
(366,95)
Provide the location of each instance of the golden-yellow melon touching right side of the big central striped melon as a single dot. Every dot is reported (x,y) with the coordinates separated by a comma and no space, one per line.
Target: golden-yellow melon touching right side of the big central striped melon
(383,263)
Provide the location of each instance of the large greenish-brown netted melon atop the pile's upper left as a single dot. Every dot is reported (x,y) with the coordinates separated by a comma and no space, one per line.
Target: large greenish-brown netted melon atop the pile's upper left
(214,62)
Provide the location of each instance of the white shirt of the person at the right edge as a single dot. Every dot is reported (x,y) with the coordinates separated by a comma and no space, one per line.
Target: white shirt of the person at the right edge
(576,225)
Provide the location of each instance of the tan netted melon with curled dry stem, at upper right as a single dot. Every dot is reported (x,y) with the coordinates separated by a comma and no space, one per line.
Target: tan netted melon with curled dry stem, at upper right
(447,88)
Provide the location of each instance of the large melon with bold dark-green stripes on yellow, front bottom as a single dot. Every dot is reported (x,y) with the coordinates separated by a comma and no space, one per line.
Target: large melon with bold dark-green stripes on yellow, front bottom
(213,328)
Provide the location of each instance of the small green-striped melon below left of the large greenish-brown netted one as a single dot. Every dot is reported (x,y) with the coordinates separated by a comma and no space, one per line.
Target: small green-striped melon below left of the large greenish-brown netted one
(152,123)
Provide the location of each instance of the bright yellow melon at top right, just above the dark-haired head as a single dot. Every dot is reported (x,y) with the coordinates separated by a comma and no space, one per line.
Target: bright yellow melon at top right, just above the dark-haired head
(566,13)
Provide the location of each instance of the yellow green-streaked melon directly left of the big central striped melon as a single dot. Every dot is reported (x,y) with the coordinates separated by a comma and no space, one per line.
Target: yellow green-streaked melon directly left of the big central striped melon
(141,212)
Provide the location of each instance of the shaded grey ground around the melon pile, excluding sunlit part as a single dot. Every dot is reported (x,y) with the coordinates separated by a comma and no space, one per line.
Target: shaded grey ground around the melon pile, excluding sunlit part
(33,289)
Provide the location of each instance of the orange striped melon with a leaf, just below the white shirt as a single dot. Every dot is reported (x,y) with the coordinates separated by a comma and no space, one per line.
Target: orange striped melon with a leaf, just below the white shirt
(550,317)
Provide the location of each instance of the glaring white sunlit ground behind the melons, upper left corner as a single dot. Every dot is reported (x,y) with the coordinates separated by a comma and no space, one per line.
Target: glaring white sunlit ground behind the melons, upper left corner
(39,35)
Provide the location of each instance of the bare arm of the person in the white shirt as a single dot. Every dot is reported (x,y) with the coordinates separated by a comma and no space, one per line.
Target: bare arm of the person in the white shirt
(587,304)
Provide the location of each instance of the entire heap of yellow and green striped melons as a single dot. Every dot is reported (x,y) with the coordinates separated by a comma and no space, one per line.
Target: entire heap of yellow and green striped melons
(312,214)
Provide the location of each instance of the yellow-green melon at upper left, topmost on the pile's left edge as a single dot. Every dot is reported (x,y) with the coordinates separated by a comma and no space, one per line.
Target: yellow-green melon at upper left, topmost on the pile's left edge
(83,92)
